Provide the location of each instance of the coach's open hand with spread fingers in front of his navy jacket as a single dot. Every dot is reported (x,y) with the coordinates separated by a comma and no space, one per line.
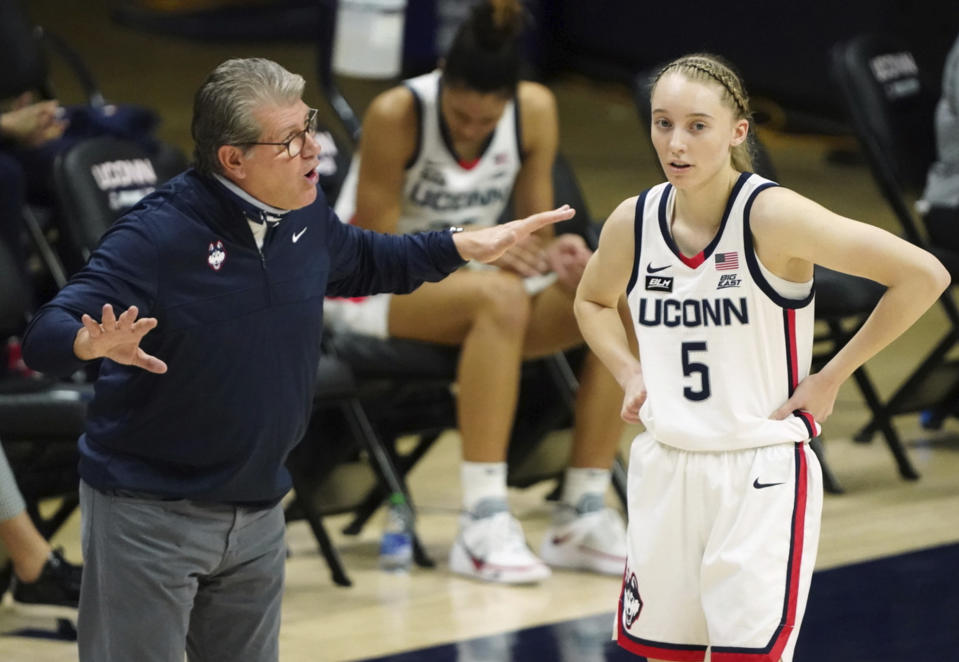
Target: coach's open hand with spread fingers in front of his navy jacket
(117,338)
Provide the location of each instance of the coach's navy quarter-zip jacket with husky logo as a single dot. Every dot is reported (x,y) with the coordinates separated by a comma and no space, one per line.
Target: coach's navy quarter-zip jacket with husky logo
(239,329)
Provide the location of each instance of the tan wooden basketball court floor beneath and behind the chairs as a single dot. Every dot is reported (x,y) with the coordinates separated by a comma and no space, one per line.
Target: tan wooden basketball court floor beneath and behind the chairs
(880,516)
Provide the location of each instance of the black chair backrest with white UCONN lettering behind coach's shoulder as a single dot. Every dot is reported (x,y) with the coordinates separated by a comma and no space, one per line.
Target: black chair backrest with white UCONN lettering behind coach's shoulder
(97,181)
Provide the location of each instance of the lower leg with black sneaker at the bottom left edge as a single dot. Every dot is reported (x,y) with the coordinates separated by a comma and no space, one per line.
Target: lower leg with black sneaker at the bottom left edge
(43,583)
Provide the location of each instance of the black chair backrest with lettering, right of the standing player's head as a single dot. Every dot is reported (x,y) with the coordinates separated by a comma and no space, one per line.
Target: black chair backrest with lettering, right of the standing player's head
(890,106)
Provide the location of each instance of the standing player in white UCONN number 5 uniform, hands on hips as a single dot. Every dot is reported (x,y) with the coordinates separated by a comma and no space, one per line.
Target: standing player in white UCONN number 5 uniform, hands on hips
(725,495)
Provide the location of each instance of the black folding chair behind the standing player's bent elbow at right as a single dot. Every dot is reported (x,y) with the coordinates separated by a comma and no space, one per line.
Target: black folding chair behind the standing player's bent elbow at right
(890,106)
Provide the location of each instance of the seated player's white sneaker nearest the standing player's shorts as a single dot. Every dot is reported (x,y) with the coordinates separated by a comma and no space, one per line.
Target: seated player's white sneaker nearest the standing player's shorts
(589,537)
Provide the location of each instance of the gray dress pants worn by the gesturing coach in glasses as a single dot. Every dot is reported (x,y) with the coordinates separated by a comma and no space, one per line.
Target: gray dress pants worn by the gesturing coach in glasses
(164,576)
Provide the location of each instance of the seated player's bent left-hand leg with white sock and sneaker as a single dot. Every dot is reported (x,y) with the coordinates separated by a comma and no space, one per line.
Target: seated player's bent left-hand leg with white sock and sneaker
(485,313)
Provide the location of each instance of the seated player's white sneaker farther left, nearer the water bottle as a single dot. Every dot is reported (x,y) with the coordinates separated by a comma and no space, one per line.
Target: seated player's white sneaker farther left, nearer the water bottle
(491,546)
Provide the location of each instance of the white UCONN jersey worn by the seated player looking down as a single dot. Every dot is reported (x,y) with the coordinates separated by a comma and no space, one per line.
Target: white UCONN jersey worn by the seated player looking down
(438,190)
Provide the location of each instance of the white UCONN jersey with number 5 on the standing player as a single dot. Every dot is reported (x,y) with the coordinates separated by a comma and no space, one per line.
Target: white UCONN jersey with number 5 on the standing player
(723,341)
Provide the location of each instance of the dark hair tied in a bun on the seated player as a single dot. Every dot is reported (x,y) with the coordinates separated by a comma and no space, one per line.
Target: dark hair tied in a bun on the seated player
(485,55)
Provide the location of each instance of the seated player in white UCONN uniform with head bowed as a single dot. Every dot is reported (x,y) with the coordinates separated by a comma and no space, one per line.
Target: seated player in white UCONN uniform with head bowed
(447,148)
